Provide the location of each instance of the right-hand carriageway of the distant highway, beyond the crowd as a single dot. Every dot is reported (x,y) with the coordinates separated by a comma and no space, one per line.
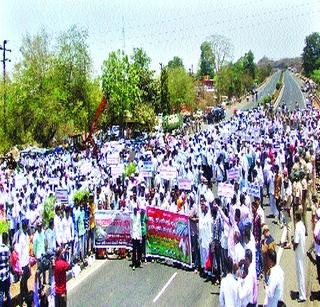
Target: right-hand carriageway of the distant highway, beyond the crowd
(291,92)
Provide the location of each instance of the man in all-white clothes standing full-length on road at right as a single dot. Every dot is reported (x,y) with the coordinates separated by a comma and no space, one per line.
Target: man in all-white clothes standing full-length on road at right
(299,249)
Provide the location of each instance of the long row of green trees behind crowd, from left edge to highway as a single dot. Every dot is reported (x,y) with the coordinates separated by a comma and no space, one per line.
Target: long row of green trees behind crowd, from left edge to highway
(52,92)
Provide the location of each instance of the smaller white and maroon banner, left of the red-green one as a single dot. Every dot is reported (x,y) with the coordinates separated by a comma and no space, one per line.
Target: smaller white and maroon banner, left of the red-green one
(112,229)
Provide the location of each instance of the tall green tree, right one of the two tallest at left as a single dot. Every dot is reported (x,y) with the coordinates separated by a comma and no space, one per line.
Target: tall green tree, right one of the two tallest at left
(72,75)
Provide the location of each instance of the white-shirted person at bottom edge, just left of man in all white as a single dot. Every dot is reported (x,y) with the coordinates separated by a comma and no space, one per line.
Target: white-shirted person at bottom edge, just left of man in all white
(274,288)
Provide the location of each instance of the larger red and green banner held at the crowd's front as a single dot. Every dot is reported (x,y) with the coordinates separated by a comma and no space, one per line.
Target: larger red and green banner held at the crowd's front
(168,236)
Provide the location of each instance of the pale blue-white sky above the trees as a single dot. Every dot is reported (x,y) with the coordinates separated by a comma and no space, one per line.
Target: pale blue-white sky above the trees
(165,28)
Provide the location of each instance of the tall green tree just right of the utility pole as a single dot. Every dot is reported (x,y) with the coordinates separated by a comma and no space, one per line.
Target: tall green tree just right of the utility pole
(36,101)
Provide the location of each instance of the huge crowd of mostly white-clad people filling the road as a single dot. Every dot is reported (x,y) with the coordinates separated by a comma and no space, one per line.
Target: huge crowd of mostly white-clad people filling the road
(231,242)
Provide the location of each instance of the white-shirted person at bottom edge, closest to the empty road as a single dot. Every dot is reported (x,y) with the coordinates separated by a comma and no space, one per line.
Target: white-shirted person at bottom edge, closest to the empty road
(229,289)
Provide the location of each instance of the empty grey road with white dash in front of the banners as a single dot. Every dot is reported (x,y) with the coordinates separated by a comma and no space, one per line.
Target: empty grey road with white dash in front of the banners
(115,284)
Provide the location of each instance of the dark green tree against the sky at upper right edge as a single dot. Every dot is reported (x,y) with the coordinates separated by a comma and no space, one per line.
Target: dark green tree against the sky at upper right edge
(311,53)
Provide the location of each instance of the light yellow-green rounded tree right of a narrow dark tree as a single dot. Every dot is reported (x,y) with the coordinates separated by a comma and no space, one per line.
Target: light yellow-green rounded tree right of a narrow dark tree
(181,89)
